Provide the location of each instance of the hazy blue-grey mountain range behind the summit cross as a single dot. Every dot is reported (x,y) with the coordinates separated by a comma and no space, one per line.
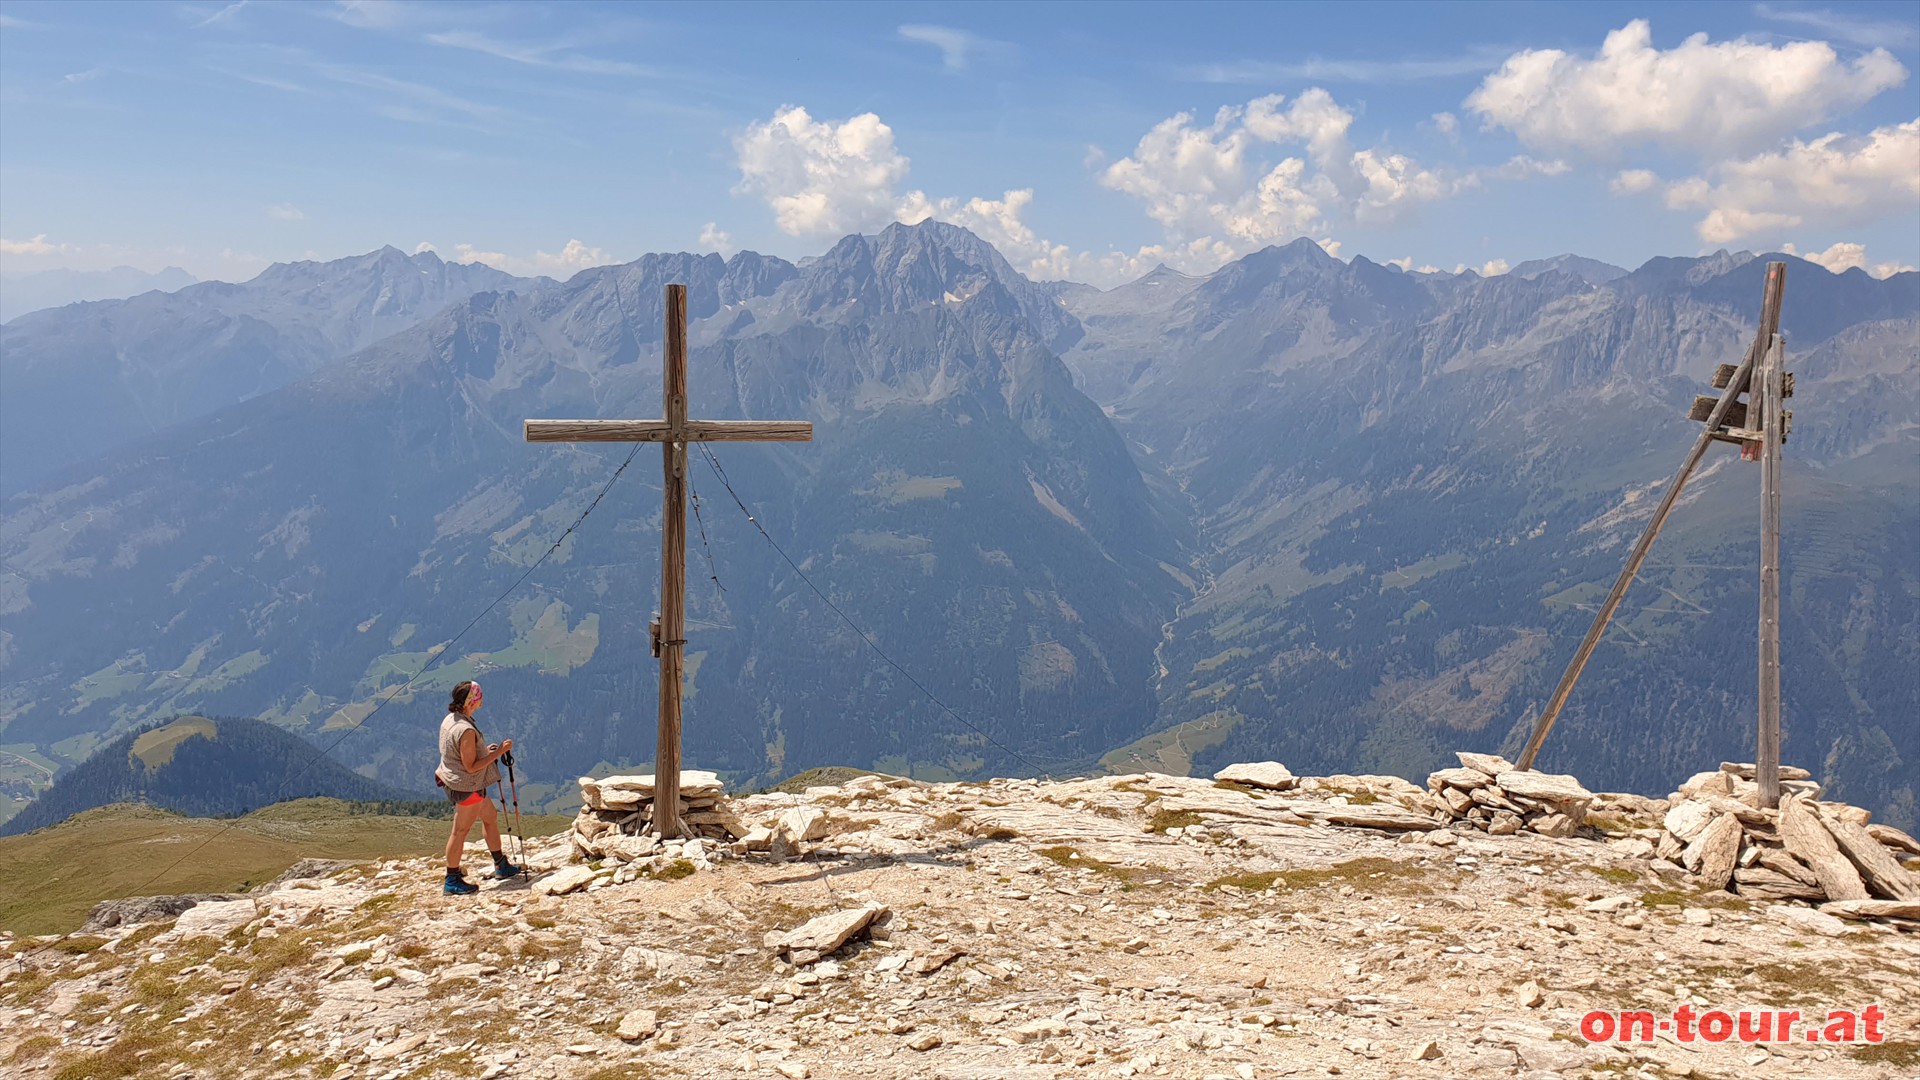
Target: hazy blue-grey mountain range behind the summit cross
(1312,510)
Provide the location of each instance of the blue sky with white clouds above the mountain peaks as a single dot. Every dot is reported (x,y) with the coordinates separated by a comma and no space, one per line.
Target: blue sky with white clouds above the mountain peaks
(1086,141)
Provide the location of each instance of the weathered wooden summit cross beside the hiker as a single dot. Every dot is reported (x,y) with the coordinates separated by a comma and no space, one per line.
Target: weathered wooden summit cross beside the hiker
(673,433)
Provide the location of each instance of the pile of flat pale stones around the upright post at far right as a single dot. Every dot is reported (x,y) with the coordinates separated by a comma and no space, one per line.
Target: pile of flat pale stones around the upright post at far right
(1804,850)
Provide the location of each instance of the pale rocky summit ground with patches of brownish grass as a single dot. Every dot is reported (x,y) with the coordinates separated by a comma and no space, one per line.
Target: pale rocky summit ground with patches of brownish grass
(1011,929)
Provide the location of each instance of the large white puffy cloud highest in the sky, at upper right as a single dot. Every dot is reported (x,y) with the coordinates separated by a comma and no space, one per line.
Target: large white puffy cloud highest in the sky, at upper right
(1716,99)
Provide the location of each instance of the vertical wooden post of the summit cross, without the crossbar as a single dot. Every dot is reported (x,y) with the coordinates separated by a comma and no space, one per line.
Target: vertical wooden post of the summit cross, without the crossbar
(673,564)
